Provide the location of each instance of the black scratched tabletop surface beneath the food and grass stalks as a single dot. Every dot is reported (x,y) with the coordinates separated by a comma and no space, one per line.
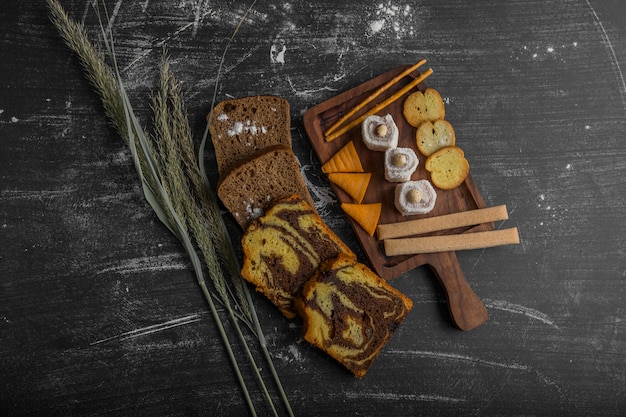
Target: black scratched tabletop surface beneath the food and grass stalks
(100,313)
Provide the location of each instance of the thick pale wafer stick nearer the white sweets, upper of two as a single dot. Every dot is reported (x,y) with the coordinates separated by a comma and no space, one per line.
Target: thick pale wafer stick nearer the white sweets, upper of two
(447,221)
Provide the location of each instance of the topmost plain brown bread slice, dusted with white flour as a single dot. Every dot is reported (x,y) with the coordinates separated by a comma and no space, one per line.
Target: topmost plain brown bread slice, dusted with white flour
(240,127)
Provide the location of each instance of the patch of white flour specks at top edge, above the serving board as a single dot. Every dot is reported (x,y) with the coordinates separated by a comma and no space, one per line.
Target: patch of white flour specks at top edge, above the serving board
(389,17)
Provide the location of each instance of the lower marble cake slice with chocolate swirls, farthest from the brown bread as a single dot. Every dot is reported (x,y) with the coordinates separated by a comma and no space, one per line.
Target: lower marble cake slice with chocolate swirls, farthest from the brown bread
(350,312)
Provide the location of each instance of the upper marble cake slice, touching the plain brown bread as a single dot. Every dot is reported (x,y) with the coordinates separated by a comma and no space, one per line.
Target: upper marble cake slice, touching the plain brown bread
(284,248)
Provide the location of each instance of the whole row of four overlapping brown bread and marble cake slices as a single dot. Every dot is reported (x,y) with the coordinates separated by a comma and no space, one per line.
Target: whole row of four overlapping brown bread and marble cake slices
(290,254)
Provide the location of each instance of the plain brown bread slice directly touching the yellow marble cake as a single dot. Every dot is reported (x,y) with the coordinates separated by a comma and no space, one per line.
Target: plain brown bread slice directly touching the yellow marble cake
(259,180)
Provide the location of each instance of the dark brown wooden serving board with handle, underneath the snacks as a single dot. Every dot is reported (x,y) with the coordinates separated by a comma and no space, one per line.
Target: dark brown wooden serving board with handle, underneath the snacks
(466,308)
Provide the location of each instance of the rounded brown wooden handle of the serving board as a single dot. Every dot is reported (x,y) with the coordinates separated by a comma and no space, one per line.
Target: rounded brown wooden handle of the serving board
(466,308)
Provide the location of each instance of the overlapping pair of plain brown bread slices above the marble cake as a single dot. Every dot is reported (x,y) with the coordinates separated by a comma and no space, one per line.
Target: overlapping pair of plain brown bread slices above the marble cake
(255,160)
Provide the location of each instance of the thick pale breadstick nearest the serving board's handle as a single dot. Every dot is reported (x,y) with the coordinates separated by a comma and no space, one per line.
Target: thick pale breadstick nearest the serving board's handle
(447,243)
